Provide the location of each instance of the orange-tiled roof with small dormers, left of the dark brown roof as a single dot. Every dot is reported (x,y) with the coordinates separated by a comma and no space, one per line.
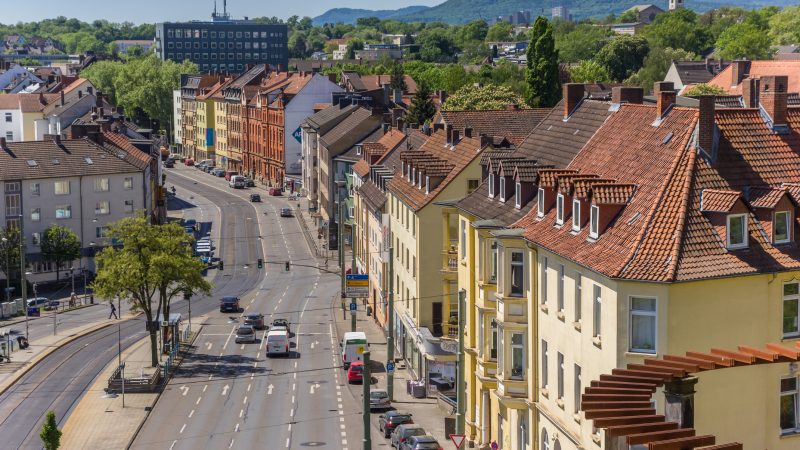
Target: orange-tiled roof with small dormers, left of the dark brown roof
(435,158)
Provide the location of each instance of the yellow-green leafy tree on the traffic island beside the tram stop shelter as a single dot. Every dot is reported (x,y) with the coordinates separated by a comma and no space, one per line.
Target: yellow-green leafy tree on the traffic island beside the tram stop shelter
(153,264)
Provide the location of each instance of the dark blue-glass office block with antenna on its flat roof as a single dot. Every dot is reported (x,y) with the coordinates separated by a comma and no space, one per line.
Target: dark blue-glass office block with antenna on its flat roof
(223,44)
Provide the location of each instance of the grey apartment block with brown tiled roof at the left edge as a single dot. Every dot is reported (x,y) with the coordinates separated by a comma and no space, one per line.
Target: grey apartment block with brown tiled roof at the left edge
(84,184)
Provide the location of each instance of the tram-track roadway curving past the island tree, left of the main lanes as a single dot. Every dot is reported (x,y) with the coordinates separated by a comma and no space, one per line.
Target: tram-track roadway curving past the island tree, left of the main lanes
(60,380)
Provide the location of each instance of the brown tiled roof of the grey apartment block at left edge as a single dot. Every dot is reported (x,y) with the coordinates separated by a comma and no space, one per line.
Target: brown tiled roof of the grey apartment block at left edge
(73,157)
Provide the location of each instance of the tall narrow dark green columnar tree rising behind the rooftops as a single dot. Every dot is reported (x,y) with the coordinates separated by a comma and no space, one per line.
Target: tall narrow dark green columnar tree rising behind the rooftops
(544,86)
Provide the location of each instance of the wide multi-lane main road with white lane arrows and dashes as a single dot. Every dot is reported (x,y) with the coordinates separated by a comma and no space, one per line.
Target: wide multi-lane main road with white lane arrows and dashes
(228,395)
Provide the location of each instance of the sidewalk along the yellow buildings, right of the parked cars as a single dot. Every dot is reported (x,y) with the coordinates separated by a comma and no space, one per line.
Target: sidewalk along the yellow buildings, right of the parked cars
(426,411)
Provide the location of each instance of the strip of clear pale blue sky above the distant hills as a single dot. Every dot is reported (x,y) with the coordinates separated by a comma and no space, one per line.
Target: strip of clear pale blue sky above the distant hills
(152,11)
